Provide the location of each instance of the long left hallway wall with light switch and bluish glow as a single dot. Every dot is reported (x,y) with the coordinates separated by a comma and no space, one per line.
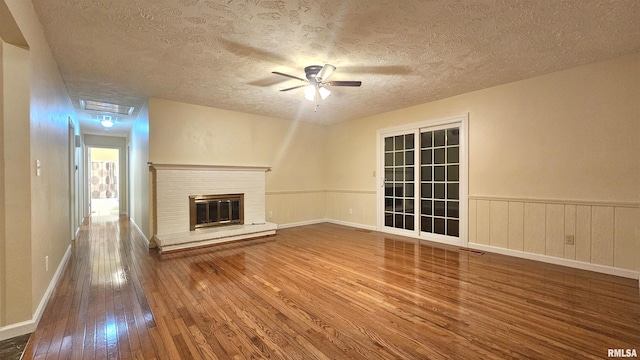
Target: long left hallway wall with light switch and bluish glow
(50,113)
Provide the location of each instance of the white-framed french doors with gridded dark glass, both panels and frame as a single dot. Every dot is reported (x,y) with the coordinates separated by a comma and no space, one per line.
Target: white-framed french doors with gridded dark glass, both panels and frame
(423,191)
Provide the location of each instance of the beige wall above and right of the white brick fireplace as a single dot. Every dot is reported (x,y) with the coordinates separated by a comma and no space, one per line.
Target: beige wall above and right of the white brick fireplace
(189,134)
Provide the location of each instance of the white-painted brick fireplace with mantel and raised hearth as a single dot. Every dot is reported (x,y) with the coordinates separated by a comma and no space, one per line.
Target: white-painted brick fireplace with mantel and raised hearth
(177,188)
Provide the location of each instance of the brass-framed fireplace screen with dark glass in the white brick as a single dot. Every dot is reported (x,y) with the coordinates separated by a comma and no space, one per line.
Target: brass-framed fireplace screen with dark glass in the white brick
(215,210)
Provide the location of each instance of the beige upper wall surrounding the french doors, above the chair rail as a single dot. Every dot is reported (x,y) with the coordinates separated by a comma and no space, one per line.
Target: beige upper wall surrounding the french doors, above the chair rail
(567,135)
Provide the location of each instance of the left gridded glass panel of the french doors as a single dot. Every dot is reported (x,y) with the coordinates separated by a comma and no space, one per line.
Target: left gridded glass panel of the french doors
(399,181)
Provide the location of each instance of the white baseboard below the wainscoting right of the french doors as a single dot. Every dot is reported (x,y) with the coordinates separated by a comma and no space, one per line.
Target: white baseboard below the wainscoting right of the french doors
(558,261)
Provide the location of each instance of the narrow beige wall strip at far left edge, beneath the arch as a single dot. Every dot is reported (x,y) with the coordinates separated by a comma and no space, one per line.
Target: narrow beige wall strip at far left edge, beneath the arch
(16,196)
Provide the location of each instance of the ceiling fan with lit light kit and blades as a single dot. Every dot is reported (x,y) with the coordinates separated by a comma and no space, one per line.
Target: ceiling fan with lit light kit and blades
(316,82)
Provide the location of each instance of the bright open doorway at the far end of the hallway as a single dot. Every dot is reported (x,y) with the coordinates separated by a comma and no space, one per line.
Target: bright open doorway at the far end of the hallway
(104,182)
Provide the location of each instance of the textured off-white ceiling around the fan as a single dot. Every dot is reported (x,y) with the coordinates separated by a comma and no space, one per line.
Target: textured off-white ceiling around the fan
(221,53)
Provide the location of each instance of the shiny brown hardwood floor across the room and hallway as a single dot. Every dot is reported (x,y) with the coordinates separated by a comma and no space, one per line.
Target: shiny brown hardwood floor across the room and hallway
(326,292)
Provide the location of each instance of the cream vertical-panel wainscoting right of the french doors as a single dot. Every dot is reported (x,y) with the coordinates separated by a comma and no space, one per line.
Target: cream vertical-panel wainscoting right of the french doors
(605,234)
